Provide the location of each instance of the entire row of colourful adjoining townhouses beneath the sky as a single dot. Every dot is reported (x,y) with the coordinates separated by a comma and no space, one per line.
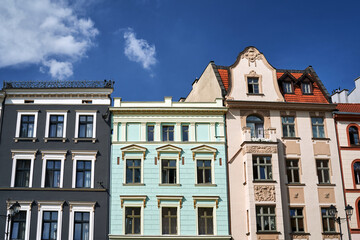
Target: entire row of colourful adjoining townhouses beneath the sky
(251,153)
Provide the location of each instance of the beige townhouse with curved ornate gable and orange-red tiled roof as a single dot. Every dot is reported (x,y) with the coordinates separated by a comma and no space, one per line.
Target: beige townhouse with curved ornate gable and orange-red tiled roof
(284,170)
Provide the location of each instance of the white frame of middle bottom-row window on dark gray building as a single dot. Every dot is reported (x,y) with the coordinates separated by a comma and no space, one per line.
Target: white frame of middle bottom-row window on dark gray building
(49,206)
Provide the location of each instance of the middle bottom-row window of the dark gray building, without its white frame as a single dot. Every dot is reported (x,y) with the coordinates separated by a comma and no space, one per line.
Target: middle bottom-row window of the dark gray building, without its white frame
(49,225)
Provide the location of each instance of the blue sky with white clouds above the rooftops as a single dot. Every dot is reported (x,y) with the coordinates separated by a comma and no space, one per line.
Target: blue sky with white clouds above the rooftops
(157,48)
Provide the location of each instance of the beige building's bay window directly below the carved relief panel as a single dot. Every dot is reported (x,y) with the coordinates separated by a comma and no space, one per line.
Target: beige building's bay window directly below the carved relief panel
(265,218)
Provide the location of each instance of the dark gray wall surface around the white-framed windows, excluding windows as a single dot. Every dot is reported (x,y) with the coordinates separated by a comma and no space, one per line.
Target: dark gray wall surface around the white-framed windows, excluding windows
(67,194)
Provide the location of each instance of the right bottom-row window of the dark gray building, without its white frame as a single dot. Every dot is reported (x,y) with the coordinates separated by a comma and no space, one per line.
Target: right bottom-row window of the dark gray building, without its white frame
(81,226)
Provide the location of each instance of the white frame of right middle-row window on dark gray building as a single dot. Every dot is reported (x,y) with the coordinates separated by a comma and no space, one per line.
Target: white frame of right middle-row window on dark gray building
(84,156)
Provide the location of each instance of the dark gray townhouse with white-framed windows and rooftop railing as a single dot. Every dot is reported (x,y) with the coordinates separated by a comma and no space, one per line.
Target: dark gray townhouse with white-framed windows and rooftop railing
(55,150)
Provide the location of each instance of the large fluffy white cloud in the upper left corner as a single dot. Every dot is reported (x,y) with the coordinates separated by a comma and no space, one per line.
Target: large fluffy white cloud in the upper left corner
(43,32)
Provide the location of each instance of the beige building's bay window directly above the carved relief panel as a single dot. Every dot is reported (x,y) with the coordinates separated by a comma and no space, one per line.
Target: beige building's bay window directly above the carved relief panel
(262,168)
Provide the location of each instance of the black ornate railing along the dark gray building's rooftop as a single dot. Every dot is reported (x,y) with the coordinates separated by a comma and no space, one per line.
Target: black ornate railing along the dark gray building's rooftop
(58,84)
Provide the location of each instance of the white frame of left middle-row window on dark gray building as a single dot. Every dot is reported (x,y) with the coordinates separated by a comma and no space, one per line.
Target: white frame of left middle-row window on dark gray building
(22,155)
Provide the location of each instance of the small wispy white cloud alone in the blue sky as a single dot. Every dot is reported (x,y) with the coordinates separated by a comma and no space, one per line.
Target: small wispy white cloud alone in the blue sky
(139,50)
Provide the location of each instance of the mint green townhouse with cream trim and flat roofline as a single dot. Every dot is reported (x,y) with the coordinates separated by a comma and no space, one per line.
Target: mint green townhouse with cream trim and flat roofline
(168,171)
